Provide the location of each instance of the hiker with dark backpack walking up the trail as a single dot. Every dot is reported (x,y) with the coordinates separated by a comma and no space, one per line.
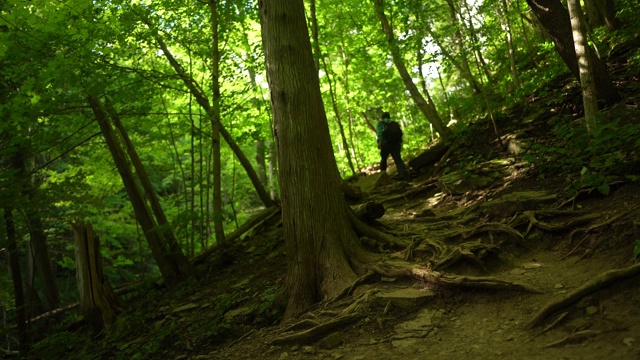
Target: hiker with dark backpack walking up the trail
(389,136)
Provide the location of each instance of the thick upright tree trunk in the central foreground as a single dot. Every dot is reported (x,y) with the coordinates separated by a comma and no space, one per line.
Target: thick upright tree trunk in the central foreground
(318,235)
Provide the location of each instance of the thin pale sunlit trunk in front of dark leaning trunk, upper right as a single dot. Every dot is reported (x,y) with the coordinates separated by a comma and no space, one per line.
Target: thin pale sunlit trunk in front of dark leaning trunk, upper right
(589,98)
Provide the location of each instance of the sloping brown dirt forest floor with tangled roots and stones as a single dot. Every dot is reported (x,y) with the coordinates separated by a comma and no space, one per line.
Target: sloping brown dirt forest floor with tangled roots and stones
(556,246)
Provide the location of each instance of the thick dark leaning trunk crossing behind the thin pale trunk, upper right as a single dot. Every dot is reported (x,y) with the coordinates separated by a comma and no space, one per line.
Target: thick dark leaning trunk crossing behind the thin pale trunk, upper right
(555,18)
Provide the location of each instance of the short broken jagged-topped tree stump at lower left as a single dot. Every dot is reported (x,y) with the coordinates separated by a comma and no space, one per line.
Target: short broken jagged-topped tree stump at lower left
(98,303)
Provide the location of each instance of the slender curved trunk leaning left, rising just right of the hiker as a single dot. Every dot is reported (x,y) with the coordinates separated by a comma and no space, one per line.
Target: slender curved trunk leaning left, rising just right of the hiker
(427,108)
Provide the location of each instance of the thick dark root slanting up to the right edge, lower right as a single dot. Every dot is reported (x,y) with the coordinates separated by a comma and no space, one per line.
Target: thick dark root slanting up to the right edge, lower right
(606,279)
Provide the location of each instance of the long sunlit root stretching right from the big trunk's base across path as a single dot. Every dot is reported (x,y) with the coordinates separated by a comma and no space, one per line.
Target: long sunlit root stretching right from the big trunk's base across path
(435,278)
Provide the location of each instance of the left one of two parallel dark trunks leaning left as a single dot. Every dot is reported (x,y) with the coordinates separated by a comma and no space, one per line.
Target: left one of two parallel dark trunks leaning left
(172,269)
